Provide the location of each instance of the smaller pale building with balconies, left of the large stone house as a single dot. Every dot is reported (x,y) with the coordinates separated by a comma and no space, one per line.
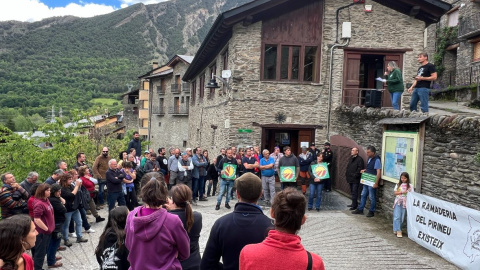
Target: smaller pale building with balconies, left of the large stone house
(164,101)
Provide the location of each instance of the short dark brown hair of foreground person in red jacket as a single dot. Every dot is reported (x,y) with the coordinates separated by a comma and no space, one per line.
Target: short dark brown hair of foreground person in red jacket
(289,208)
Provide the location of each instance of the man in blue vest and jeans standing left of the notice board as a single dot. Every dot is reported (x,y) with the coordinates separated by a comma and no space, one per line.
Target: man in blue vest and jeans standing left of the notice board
(374,168)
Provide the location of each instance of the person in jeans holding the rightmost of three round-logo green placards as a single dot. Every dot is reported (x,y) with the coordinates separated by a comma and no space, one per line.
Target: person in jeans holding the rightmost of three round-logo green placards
(318,175)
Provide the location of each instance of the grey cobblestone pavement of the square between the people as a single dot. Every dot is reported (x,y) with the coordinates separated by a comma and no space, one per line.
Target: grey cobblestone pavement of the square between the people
(343,240)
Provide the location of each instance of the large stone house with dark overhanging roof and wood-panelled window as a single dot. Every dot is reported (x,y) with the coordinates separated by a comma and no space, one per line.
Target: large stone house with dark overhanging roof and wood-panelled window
(281,90)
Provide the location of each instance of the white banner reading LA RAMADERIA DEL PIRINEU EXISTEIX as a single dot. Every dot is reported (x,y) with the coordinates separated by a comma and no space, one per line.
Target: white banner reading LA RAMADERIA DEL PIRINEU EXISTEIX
(452,231)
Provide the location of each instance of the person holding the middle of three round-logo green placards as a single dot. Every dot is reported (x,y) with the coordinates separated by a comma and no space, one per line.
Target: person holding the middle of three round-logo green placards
(289,168)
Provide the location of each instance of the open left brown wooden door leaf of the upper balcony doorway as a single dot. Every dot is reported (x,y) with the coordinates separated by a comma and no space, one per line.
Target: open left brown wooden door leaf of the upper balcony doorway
(351,78)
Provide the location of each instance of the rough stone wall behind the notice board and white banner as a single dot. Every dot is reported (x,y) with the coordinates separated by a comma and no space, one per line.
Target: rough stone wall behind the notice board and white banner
(451,142)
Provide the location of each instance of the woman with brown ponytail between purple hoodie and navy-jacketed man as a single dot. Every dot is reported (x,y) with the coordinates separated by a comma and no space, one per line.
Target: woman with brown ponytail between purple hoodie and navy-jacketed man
(178,204)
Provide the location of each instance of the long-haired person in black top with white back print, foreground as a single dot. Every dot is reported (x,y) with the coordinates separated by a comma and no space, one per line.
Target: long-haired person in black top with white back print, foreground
(111,252)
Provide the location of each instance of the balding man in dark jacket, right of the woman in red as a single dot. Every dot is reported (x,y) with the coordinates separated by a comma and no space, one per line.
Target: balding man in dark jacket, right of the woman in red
(114,185)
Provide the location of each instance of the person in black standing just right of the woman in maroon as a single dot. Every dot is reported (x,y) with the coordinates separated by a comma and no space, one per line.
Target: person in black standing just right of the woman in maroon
(59,211)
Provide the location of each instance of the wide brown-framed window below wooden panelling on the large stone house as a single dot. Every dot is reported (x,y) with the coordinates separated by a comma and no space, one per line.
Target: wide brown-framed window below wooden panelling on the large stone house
(297,63)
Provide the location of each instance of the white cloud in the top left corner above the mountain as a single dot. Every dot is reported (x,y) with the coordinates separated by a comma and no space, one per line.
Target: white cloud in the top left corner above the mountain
(35,10)
